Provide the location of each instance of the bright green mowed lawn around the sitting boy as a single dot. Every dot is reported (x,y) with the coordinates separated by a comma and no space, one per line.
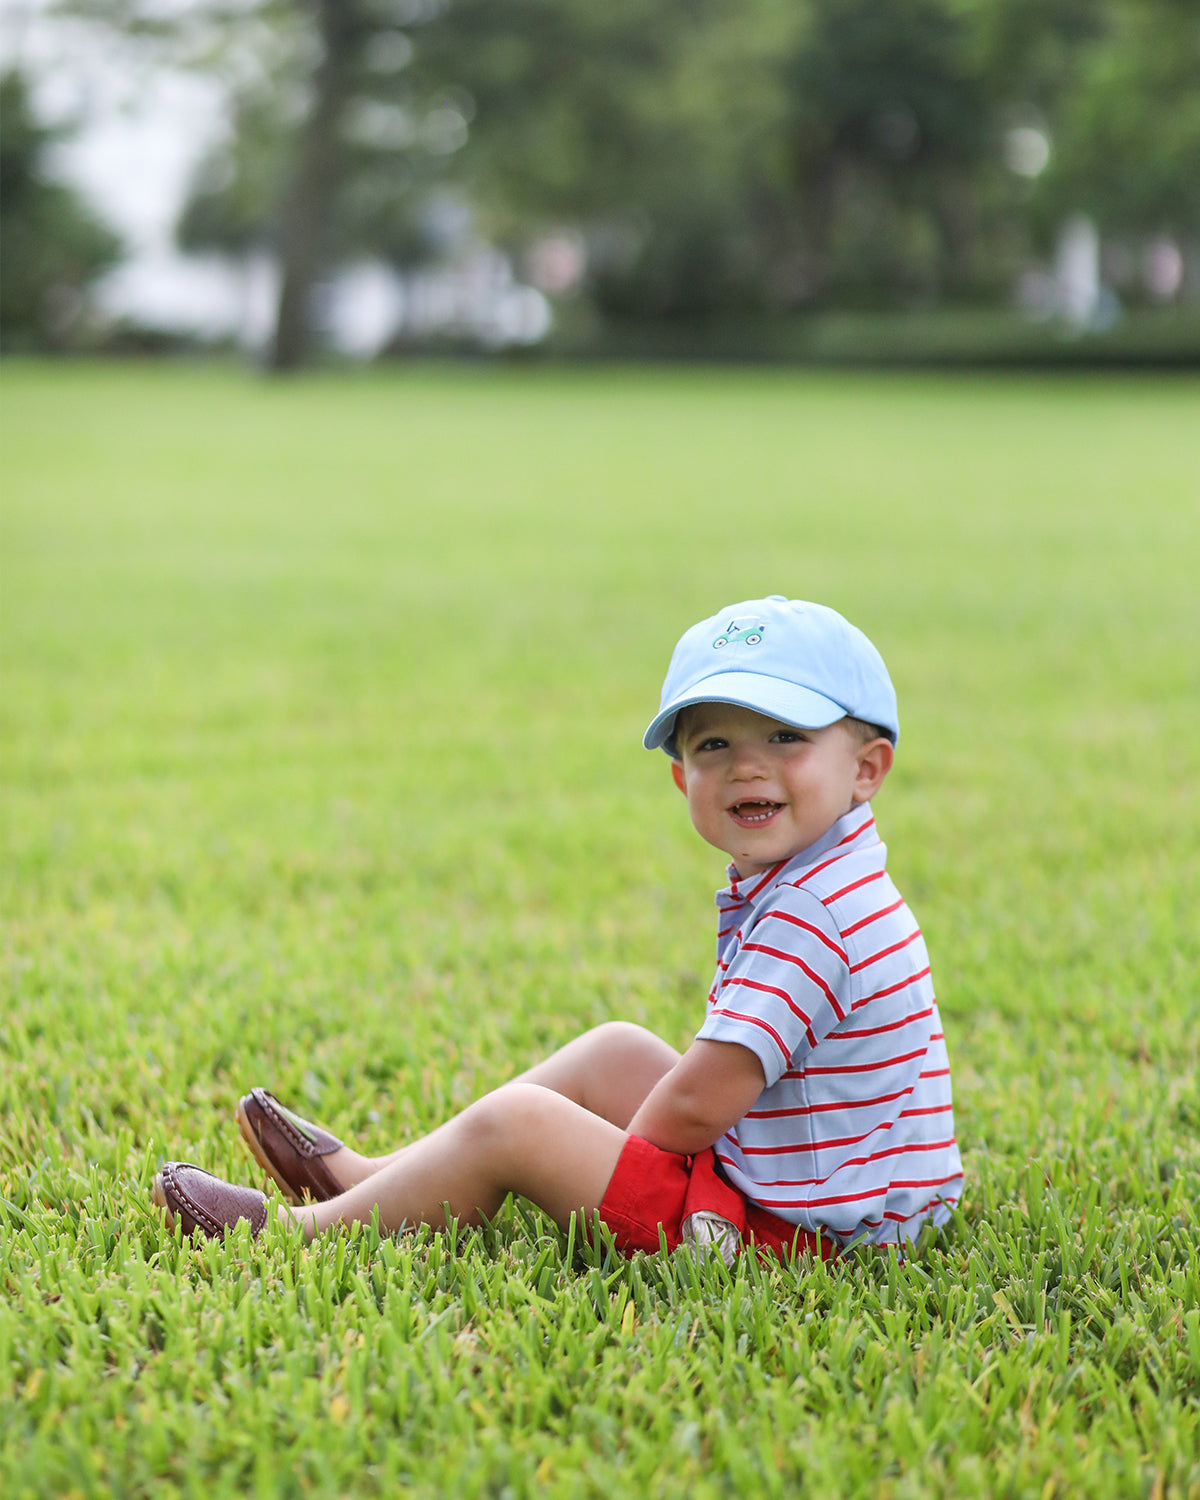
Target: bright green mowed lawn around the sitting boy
(322,770)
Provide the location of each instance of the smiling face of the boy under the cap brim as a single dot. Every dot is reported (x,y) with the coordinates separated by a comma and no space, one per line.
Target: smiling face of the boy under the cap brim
(761,790)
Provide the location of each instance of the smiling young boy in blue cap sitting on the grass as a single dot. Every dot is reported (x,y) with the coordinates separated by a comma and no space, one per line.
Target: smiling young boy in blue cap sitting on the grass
(814,1109)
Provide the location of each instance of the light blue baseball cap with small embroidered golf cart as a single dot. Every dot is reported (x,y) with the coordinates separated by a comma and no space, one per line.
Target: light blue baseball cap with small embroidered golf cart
(785,658)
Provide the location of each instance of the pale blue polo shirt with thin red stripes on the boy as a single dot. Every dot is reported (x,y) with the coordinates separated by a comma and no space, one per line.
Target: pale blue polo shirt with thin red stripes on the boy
(823,974)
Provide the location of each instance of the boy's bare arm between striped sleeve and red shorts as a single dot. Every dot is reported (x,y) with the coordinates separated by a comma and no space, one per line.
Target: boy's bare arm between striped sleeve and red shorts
(709,1090)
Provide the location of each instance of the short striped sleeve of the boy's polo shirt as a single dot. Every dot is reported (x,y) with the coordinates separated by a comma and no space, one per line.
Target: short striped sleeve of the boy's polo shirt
(787,986)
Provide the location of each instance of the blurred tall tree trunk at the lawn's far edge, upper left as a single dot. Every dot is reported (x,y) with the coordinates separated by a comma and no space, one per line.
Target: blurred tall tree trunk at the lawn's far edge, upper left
(310,203)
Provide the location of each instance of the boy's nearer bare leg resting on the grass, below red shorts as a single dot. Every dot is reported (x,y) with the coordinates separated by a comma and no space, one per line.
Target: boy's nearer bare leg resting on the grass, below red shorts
(523,1138)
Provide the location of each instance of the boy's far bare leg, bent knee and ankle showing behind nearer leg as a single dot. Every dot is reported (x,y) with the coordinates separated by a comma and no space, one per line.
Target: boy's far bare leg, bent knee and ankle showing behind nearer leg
(608,1070)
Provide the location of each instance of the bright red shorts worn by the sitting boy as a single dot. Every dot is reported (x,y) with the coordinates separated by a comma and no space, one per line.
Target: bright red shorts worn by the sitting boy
(656,1190)
